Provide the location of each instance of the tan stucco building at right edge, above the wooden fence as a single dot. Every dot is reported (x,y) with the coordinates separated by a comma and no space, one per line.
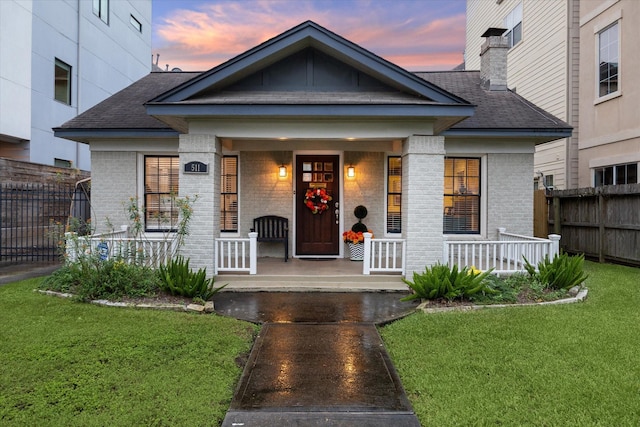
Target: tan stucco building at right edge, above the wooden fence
(609,92)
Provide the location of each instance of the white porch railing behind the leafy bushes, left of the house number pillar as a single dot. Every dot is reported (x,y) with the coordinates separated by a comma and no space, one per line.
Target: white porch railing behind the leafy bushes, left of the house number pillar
(148,250)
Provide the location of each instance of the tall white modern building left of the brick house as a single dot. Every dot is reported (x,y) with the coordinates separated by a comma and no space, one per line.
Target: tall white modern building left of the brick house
(59,58)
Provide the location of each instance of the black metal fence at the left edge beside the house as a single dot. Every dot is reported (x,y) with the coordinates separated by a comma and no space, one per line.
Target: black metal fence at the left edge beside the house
(34,217)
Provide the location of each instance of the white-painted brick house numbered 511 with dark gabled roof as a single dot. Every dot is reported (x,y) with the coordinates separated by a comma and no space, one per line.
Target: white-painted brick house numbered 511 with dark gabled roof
(432,154)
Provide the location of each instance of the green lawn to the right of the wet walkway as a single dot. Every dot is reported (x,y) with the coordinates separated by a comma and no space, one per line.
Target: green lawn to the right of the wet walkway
(571,365)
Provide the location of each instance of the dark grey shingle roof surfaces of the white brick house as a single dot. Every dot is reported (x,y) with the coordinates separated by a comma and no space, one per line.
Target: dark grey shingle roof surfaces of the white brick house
(497,110)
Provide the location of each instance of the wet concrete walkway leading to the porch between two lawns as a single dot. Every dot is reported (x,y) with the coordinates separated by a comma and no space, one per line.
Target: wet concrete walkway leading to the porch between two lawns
(318,360)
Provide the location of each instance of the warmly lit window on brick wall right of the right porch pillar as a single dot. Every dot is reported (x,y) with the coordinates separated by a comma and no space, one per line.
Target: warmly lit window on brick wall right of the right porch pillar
(461,195)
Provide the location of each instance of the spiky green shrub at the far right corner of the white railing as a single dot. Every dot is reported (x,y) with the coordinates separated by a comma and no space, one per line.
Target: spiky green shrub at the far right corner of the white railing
(563,273)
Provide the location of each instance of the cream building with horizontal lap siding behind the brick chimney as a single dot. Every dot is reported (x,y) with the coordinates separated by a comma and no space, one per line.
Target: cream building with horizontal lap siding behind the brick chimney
(542,67)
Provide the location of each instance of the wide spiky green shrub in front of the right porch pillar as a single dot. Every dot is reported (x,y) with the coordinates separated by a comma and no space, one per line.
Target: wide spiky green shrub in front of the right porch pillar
(440,281)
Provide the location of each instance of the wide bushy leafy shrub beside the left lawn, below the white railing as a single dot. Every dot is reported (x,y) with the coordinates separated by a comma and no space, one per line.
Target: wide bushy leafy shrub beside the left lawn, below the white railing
(113,279)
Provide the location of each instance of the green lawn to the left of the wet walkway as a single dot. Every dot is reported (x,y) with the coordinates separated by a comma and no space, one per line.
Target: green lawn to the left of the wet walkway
(75,364)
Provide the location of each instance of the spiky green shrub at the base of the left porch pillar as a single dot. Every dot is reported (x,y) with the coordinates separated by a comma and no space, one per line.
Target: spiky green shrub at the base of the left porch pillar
(177,278)
